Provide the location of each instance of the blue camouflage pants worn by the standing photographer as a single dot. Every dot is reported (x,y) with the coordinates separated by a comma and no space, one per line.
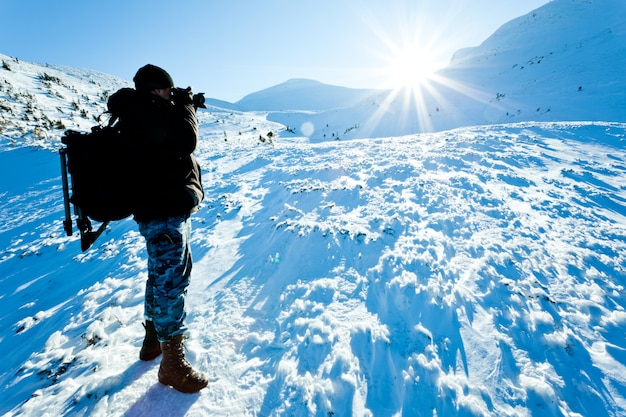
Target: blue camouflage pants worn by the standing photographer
(169,269)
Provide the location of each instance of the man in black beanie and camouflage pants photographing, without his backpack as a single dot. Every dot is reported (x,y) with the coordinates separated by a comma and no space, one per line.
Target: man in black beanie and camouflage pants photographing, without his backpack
(160,124)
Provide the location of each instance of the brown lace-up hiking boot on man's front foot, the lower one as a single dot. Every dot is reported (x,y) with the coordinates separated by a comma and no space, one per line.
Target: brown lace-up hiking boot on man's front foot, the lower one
(175,371)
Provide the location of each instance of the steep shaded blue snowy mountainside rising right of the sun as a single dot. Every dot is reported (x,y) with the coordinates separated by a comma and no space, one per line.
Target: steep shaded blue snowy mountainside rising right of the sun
(552,64)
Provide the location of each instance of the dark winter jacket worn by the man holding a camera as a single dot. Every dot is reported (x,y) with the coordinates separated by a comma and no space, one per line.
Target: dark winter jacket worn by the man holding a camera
(163,137)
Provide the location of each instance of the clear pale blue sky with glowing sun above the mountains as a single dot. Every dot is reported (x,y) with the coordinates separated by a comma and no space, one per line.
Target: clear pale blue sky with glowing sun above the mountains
(228,49)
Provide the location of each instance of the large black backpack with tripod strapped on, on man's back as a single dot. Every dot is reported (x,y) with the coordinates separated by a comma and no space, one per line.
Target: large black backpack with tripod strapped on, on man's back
(100,165)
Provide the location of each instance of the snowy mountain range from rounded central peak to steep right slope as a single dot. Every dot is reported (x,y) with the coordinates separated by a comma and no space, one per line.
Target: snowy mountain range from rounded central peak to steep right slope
(551,64)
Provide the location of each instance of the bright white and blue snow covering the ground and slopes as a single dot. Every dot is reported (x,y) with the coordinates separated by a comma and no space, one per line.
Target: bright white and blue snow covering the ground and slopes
(474,271)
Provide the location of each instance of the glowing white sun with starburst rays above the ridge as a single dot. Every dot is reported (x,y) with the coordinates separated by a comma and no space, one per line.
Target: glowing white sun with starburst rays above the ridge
(419,95)
